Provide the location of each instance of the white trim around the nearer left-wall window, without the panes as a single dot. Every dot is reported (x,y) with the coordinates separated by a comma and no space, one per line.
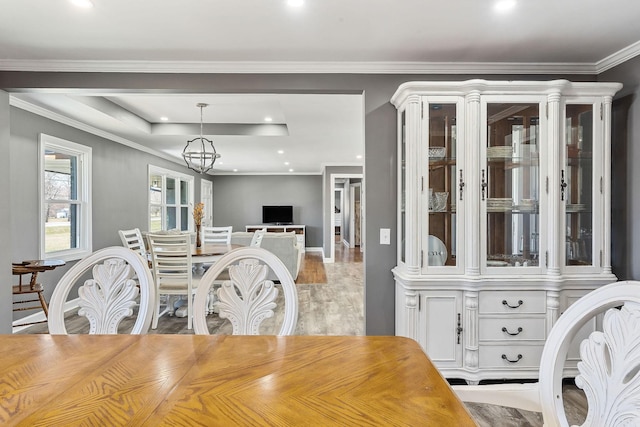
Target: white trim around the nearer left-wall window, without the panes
(84,154)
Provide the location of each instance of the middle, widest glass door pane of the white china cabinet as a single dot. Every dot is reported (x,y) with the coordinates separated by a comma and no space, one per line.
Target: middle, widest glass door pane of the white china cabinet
(510,184)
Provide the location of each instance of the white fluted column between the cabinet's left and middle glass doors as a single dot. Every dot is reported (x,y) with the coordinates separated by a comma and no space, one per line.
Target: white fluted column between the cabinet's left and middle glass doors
(472,151)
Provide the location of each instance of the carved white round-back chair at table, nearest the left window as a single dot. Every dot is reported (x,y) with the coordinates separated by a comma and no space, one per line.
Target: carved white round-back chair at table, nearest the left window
(109,295)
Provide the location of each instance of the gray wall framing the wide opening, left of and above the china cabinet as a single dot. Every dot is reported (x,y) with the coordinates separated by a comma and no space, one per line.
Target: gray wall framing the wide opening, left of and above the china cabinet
(380,182)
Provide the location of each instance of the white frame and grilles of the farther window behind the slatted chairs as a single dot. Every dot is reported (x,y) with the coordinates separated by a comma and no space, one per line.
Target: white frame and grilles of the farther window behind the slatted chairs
(168,173)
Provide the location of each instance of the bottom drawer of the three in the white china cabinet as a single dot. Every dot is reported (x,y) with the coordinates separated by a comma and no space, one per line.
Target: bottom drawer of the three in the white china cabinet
(510,356)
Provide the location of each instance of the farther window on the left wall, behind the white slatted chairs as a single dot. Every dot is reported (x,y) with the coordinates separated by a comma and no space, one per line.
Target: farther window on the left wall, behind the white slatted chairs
(170,200)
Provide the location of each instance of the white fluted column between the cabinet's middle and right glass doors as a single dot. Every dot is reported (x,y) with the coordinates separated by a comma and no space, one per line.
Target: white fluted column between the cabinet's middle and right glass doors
(553,169)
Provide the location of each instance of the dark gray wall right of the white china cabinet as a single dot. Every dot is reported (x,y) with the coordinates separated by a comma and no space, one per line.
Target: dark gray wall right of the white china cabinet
(625,152)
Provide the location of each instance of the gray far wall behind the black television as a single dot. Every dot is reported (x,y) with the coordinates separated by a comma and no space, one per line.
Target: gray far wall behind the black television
(238,200)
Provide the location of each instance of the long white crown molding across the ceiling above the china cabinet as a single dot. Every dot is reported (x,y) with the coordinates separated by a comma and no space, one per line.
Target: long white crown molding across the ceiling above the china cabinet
(282,67)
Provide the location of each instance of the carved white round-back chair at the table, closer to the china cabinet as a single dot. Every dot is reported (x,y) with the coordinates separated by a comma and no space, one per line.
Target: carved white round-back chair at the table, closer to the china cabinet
(247,298)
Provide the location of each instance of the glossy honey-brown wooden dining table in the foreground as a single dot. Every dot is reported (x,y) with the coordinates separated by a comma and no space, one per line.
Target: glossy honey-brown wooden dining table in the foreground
(187,380)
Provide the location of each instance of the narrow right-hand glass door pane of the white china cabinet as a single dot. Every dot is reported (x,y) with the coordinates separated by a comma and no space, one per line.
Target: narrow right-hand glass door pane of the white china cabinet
(577,184)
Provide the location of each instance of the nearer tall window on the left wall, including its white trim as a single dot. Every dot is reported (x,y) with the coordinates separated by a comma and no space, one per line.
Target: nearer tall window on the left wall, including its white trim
(65,189)
